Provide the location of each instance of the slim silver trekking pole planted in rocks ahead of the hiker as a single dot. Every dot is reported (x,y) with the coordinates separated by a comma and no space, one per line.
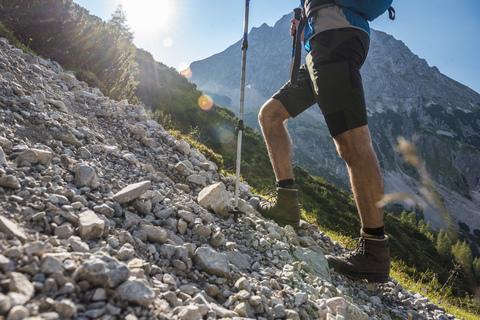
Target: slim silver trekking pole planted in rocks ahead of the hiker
(240,127)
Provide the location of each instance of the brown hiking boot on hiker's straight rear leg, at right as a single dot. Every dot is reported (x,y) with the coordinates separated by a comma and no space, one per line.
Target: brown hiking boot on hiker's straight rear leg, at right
(370,260)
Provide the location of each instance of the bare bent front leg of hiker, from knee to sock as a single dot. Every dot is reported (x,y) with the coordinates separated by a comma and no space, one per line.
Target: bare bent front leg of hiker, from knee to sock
(271,118)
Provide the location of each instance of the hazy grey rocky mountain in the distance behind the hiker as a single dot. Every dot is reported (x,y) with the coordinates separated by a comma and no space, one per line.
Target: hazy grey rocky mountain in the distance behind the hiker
(405,96)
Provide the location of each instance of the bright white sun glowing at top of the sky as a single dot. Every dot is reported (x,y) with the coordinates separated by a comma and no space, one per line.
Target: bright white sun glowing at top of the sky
(147,15)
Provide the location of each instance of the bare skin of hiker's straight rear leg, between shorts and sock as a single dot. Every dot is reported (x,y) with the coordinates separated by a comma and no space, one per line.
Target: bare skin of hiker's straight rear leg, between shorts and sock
(355,147)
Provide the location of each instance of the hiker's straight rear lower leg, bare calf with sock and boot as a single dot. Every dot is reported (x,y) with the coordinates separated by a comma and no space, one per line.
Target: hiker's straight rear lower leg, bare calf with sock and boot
(370,259)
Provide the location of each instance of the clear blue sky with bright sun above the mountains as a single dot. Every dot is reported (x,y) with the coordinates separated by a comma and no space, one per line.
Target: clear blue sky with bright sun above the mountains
(446,33)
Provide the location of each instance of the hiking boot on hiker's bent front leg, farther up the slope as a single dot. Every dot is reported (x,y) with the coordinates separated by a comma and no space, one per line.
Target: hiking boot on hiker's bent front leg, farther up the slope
(285,210)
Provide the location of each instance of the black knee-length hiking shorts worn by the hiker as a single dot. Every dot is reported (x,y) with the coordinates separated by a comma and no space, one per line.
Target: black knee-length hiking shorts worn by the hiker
(331,78)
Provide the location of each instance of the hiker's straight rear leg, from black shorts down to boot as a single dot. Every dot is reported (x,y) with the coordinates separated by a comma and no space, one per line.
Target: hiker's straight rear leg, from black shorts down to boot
(336,58)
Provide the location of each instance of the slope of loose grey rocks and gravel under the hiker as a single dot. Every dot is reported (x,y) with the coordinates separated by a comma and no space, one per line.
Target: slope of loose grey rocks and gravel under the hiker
(105,215)
